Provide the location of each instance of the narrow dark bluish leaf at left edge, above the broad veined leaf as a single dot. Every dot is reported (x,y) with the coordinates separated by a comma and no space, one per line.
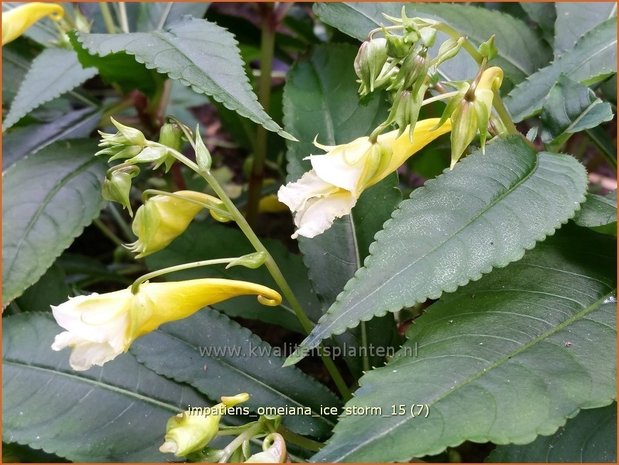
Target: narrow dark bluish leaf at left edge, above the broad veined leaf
(21,141)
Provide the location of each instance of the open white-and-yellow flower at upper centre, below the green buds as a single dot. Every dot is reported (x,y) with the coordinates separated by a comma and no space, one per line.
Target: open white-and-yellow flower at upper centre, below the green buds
(331,189)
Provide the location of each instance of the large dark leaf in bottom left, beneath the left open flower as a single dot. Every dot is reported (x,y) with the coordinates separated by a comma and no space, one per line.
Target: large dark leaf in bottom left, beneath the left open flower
(116,413)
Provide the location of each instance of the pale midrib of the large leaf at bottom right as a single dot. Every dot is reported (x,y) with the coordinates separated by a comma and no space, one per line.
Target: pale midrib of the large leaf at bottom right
(576,317)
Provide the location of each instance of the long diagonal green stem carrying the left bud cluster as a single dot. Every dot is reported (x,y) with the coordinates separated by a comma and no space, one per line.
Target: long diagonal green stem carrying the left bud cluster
(274,270)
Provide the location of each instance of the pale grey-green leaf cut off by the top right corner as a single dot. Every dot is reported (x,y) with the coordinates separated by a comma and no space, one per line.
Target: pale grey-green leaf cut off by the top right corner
(576,19)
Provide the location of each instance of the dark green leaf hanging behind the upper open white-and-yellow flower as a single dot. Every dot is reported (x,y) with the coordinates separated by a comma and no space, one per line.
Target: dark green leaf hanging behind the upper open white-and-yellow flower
(320,100)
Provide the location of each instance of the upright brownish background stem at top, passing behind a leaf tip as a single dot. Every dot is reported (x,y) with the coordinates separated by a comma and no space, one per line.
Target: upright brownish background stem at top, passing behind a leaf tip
(267,49)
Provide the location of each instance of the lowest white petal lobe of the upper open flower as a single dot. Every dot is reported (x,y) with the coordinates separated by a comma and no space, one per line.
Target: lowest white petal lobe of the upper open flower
(319,213)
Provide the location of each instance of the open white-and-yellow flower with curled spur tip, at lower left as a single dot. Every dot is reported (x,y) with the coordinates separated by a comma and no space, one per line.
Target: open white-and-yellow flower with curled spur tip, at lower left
(99,327)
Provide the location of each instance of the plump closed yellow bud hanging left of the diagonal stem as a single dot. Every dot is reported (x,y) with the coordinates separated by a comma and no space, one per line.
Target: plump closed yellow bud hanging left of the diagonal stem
(163,218)
